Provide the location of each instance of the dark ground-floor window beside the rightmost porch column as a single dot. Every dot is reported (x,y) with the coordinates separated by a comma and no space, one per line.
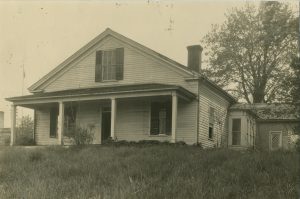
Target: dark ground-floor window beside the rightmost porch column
(161,120)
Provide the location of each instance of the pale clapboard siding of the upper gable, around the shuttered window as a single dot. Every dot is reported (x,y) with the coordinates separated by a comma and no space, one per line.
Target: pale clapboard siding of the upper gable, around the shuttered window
(138,68)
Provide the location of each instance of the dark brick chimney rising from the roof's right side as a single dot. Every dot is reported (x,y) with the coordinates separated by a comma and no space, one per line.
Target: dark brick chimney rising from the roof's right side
(194,57)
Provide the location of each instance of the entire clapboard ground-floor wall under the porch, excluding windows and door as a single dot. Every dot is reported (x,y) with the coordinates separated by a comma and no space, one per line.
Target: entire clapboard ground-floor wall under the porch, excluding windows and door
(132,121)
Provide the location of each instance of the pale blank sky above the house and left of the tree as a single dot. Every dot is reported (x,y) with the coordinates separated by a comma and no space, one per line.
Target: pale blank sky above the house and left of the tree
(39,35)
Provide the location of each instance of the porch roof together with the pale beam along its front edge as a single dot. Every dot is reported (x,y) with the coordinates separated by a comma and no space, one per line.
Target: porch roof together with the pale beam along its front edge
(104,92)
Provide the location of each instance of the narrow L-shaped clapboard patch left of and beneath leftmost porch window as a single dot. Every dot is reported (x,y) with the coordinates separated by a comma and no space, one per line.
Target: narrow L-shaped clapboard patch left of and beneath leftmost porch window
(42,135)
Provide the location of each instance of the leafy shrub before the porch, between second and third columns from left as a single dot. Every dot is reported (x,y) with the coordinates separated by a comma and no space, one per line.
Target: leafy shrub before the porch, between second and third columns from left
(82,136)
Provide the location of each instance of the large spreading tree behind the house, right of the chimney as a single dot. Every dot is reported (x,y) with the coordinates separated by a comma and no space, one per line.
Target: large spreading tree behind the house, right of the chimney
(249,54)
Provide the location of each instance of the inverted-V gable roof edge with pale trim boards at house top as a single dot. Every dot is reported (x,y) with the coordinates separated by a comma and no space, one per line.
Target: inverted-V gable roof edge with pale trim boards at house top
(96,40)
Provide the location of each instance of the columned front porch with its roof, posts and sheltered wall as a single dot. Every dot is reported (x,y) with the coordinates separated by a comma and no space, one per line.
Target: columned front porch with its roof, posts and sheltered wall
(119,113)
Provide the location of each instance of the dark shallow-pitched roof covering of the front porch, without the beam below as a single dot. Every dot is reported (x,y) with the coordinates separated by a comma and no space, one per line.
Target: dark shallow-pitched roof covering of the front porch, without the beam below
(104,90)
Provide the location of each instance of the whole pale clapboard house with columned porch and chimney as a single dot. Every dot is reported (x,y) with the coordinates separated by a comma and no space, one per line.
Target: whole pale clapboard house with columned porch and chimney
(122,90)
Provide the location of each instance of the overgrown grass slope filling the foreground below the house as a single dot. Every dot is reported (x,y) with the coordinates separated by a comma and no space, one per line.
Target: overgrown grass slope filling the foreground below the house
(158,171)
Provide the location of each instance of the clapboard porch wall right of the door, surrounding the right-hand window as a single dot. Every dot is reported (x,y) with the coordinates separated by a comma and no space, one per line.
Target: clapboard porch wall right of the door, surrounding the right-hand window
(133,121)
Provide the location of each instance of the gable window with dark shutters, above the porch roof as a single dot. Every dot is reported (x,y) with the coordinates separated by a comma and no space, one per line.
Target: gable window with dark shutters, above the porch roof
(109,65)
